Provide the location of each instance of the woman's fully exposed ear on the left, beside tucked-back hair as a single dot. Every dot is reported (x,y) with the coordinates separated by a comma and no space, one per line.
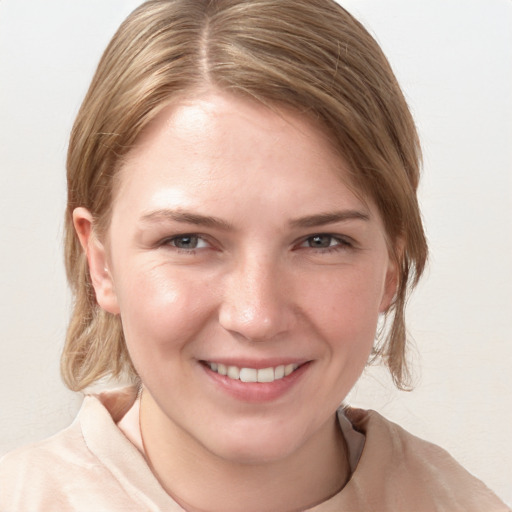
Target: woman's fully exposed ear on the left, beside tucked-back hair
(101,277)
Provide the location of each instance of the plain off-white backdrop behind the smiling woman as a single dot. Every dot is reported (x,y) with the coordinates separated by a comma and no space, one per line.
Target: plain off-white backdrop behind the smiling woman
(454,61)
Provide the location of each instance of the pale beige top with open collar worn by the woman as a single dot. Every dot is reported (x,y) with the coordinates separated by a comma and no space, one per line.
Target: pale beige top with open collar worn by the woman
(92,465)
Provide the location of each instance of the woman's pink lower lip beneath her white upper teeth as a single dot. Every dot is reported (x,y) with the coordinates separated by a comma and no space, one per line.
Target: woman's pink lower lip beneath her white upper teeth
(257,392)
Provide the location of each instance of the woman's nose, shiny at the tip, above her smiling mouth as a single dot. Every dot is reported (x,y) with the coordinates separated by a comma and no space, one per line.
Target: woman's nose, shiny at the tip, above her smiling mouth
(256,302)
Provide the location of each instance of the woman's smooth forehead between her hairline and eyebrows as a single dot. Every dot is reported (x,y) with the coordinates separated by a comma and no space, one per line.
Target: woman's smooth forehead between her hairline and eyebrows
(216,140)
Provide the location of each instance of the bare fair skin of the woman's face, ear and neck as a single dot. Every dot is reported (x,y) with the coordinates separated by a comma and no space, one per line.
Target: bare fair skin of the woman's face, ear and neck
(252,287)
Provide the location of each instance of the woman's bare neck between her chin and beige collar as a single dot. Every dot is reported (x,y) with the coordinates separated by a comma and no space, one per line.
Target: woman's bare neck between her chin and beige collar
(201,481)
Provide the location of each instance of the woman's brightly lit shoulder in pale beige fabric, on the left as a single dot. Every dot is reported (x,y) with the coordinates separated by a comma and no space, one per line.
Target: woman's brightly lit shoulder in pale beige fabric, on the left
(61,472)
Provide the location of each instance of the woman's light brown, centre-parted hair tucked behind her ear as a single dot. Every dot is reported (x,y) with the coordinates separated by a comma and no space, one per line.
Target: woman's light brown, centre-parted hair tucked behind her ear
(308,55)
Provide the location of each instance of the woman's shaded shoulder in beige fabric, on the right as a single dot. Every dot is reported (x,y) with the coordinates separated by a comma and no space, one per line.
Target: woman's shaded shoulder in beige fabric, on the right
(406,471)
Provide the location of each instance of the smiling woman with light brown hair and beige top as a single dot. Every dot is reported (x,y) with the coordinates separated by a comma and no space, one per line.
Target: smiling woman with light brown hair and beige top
(241,213)
